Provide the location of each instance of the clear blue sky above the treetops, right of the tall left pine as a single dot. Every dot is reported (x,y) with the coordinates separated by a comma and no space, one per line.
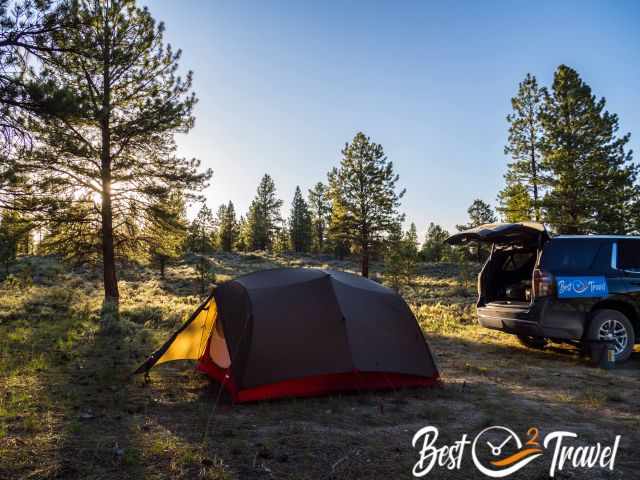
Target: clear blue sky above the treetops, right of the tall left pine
(283,85)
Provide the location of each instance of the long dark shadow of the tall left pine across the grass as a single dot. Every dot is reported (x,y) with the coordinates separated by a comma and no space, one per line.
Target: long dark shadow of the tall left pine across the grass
(100,437)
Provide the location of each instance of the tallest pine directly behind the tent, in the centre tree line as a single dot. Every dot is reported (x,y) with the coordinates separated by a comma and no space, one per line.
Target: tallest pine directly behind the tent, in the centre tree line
(365,188)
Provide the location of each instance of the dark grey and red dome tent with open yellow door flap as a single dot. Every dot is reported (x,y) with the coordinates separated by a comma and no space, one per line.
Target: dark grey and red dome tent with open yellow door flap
(302,332)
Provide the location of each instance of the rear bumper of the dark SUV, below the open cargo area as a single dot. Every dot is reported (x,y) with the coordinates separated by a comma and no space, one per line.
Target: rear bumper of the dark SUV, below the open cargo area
(546,318)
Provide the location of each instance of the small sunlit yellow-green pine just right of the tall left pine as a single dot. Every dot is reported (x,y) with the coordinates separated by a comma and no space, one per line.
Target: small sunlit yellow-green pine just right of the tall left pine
(166,229)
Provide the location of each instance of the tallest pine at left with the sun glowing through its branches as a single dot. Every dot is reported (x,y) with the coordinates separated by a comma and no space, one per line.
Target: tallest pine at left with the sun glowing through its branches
(111,154)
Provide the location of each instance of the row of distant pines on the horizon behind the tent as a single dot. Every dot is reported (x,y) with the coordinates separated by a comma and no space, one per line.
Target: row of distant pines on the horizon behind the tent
(355,212)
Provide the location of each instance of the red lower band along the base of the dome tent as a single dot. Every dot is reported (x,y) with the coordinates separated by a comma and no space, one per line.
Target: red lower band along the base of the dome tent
(316,385)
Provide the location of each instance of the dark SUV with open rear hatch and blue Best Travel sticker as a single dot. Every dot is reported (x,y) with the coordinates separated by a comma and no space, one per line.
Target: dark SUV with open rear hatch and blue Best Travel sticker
(564,288)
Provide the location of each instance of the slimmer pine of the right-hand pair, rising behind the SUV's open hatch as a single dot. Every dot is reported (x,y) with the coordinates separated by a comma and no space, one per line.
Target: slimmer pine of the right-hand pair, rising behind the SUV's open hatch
(525,174)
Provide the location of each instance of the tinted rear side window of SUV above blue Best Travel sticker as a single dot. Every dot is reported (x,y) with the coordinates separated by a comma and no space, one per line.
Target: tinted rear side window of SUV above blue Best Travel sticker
(571,254)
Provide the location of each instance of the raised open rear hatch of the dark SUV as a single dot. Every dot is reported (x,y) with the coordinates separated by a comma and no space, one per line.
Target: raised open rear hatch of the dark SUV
(526,234)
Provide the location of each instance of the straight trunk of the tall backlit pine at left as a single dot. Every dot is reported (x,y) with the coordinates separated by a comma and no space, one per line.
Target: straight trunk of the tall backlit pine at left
(108,254)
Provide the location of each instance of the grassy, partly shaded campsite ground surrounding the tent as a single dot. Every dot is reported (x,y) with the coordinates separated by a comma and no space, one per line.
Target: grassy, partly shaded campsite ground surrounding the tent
(69,410)
